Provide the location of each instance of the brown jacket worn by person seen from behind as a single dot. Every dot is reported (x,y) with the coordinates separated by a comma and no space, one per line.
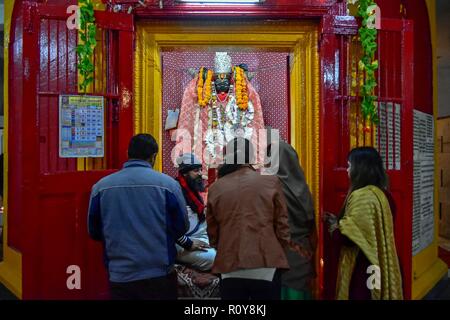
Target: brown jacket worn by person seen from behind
(247,221)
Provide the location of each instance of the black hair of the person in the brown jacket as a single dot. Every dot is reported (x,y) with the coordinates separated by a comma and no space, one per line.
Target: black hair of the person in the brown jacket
(238,152)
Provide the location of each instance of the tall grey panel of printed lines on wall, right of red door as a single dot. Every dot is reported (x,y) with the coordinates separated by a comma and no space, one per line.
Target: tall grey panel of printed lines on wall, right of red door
(423,196)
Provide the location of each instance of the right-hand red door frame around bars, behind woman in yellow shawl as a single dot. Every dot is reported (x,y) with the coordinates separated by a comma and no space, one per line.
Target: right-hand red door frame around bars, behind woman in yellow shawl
(394,57)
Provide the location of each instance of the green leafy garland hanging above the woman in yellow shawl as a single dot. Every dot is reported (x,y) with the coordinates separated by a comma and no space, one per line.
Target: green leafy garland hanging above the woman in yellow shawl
(368,38)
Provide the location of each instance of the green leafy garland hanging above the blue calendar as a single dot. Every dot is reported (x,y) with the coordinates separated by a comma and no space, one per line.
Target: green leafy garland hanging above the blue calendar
(86,43)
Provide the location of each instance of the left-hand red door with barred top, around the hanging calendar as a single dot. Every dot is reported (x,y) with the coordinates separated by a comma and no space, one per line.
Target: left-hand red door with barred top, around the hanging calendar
(54,199)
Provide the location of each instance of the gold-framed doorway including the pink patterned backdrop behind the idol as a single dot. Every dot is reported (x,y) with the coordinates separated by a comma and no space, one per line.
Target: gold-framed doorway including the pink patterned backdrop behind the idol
(282,54)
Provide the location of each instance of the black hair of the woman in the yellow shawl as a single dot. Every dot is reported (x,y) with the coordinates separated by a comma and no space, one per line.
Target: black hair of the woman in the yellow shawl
(366,168)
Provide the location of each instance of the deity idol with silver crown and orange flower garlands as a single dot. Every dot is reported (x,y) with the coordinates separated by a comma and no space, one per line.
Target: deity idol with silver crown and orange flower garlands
(219,105)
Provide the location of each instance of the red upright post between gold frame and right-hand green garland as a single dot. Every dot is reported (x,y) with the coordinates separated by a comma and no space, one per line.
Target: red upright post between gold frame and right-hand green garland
(333,176)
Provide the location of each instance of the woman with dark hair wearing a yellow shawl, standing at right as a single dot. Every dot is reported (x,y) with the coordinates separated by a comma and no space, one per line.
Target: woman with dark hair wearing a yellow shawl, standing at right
(368,265)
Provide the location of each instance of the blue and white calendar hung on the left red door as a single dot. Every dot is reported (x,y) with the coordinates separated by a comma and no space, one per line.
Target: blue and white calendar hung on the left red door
(81,126)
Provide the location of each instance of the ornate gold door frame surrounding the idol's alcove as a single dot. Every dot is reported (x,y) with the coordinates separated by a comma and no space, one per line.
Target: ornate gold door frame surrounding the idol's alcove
(298,37)
